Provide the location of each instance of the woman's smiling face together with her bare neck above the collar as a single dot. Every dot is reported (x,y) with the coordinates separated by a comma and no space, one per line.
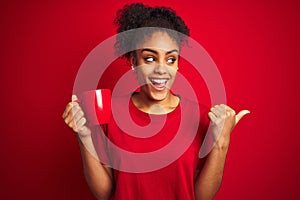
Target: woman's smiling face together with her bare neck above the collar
(156,64)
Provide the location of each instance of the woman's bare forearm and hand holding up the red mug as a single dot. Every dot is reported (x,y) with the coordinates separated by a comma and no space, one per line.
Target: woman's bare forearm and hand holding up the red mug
(98,176)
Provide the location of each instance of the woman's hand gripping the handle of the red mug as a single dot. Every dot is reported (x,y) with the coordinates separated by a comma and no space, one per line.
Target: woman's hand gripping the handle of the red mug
(74,118)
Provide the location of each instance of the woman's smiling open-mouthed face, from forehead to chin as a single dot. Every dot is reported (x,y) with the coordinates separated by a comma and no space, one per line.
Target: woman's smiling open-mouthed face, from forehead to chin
(156,64)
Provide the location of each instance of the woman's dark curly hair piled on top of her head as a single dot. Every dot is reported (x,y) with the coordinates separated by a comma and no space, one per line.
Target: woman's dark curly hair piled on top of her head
(137,15)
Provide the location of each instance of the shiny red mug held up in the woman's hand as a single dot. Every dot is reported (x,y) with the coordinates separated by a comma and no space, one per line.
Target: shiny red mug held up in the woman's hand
(96,105)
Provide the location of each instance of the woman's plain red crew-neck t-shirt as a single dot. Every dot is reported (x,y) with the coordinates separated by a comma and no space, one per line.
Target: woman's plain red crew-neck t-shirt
(168,174)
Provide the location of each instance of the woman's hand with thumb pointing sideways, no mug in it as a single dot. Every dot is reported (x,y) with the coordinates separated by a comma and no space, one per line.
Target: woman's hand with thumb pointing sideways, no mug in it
(224,119)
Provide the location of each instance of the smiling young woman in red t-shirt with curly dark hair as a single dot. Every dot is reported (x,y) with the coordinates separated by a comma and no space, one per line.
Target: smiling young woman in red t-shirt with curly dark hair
(155,61)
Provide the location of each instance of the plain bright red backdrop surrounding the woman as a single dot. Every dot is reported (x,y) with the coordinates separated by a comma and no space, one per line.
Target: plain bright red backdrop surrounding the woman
(254,43)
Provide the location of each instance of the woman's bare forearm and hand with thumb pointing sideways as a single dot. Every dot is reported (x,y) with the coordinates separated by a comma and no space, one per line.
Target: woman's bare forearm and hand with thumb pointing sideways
(223,120)
